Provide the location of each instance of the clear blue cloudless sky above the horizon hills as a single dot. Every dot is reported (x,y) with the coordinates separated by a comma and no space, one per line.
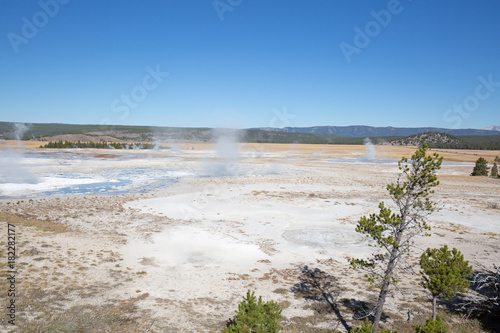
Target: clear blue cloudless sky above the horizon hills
(244,62)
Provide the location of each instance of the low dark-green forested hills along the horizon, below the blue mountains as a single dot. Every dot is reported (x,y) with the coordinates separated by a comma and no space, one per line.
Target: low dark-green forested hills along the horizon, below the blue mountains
(143,134)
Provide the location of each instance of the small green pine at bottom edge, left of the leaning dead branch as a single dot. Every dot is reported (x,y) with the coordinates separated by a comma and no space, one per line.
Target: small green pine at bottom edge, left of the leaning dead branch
(255,316)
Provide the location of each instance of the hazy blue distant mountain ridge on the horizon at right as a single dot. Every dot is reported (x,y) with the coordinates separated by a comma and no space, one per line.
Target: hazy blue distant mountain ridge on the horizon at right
(370,131)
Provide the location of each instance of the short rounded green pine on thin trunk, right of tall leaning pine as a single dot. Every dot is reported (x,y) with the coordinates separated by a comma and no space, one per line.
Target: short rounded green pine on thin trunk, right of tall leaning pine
(445,273)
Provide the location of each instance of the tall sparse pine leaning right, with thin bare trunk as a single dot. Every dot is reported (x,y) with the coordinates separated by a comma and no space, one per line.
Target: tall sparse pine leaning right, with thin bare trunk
(394,233)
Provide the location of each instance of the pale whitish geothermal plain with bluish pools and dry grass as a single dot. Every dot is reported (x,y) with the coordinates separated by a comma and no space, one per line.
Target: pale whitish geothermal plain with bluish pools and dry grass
(170,240)
